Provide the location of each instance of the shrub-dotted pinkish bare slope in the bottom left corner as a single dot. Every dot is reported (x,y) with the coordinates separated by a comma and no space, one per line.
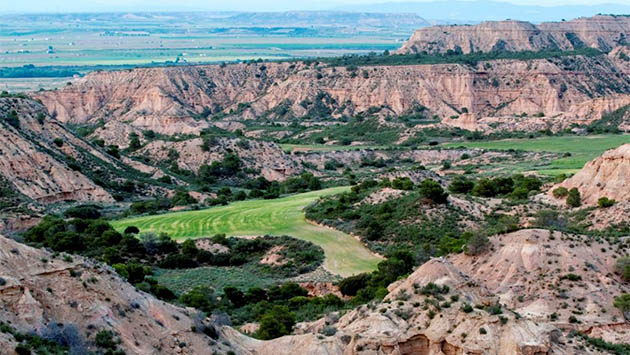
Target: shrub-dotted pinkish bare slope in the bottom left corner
(76,298)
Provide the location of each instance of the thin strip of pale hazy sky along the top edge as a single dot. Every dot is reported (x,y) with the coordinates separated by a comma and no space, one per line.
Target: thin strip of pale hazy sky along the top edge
(219,5)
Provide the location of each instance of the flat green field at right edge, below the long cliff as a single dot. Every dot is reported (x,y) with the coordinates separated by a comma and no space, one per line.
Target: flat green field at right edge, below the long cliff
(582,149)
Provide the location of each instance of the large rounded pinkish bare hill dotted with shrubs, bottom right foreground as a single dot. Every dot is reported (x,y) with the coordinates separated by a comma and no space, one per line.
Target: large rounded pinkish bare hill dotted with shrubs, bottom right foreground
(524,272)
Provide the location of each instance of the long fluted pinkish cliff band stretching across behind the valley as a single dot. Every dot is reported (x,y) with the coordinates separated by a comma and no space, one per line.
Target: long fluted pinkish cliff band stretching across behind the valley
(176,100)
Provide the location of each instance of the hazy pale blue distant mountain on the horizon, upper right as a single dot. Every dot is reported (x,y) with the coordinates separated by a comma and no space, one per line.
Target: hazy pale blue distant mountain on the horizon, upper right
(480,10)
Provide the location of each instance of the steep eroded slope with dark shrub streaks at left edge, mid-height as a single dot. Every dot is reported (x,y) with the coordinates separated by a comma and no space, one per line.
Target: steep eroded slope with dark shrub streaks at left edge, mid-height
(35,165)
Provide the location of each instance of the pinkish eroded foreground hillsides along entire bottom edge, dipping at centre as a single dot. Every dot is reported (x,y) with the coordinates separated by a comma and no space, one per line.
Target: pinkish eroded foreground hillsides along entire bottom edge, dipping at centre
(514,298)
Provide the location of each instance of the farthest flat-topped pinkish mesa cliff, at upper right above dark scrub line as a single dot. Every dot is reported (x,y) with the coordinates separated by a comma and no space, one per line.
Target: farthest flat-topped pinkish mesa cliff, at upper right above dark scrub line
(601,32)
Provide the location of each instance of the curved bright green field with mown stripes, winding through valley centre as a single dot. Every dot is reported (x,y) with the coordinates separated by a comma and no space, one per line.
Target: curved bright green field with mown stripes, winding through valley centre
(284,216)
